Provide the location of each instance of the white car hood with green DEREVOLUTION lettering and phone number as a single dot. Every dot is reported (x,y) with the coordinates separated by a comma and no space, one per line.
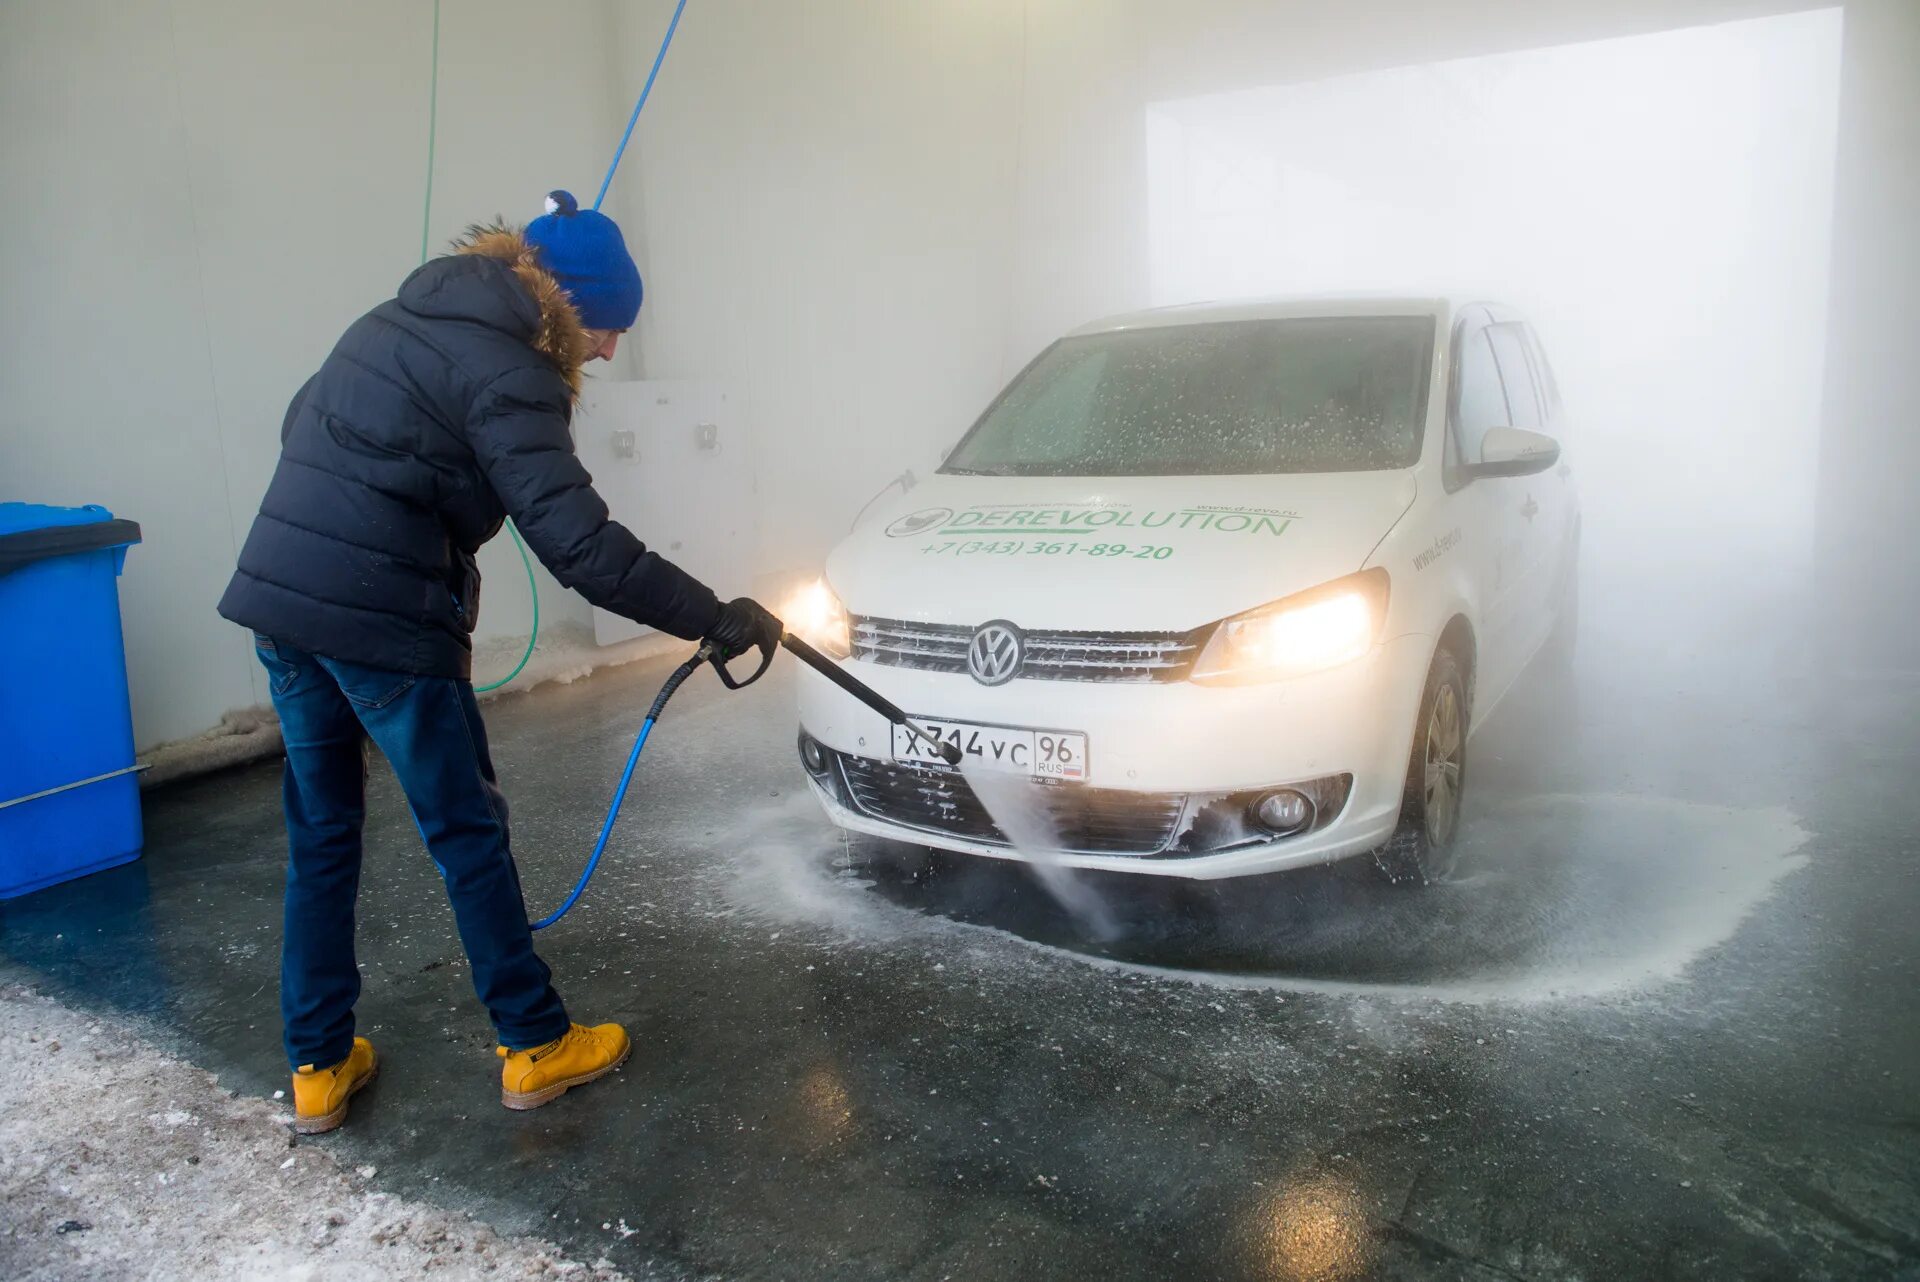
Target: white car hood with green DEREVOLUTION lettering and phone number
(1140,554)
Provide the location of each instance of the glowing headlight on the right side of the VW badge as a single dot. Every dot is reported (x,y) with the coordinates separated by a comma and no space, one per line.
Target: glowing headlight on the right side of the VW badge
(1320,629)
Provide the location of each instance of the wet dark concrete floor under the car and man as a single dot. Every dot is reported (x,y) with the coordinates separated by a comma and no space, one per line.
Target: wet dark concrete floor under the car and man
(1664,1026)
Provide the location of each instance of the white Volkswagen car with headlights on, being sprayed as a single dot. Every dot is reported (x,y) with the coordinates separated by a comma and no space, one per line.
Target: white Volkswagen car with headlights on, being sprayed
(1230,584)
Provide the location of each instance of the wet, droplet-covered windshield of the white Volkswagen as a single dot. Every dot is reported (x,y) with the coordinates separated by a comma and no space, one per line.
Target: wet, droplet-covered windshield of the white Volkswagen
(1212,400)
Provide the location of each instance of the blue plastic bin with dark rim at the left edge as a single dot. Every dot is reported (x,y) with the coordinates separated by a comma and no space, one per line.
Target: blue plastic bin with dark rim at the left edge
(70,801)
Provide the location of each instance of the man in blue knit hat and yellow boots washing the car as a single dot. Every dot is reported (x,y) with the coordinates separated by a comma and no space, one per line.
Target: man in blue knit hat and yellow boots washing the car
(437,415)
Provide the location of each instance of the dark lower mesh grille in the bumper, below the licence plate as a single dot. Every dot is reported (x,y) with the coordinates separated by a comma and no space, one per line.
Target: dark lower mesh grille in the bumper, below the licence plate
(938,799)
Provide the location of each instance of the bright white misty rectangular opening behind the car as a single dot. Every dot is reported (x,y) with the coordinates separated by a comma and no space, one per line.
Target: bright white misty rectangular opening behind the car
(1658,206)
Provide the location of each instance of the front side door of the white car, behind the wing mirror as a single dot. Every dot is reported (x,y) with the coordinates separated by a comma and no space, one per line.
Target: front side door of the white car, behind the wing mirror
(1489,510)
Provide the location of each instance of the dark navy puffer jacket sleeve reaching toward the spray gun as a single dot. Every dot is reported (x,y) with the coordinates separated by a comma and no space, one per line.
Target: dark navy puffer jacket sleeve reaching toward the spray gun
(519,433)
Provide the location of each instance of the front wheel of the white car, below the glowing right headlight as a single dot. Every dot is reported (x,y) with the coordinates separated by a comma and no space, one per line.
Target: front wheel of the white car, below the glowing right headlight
(1422,851)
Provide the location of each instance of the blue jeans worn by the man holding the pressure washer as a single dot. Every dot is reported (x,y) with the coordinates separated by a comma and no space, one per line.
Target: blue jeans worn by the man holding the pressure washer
(431,732)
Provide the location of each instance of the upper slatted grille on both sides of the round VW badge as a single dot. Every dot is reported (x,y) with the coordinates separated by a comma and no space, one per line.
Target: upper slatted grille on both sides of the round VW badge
(1140,657)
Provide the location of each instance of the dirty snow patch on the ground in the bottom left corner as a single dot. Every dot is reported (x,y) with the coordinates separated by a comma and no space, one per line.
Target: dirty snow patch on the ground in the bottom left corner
(122,1162)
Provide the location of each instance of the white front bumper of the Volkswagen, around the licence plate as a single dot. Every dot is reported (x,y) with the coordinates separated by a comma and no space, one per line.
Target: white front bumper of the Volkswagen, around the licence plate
(1164,742)
